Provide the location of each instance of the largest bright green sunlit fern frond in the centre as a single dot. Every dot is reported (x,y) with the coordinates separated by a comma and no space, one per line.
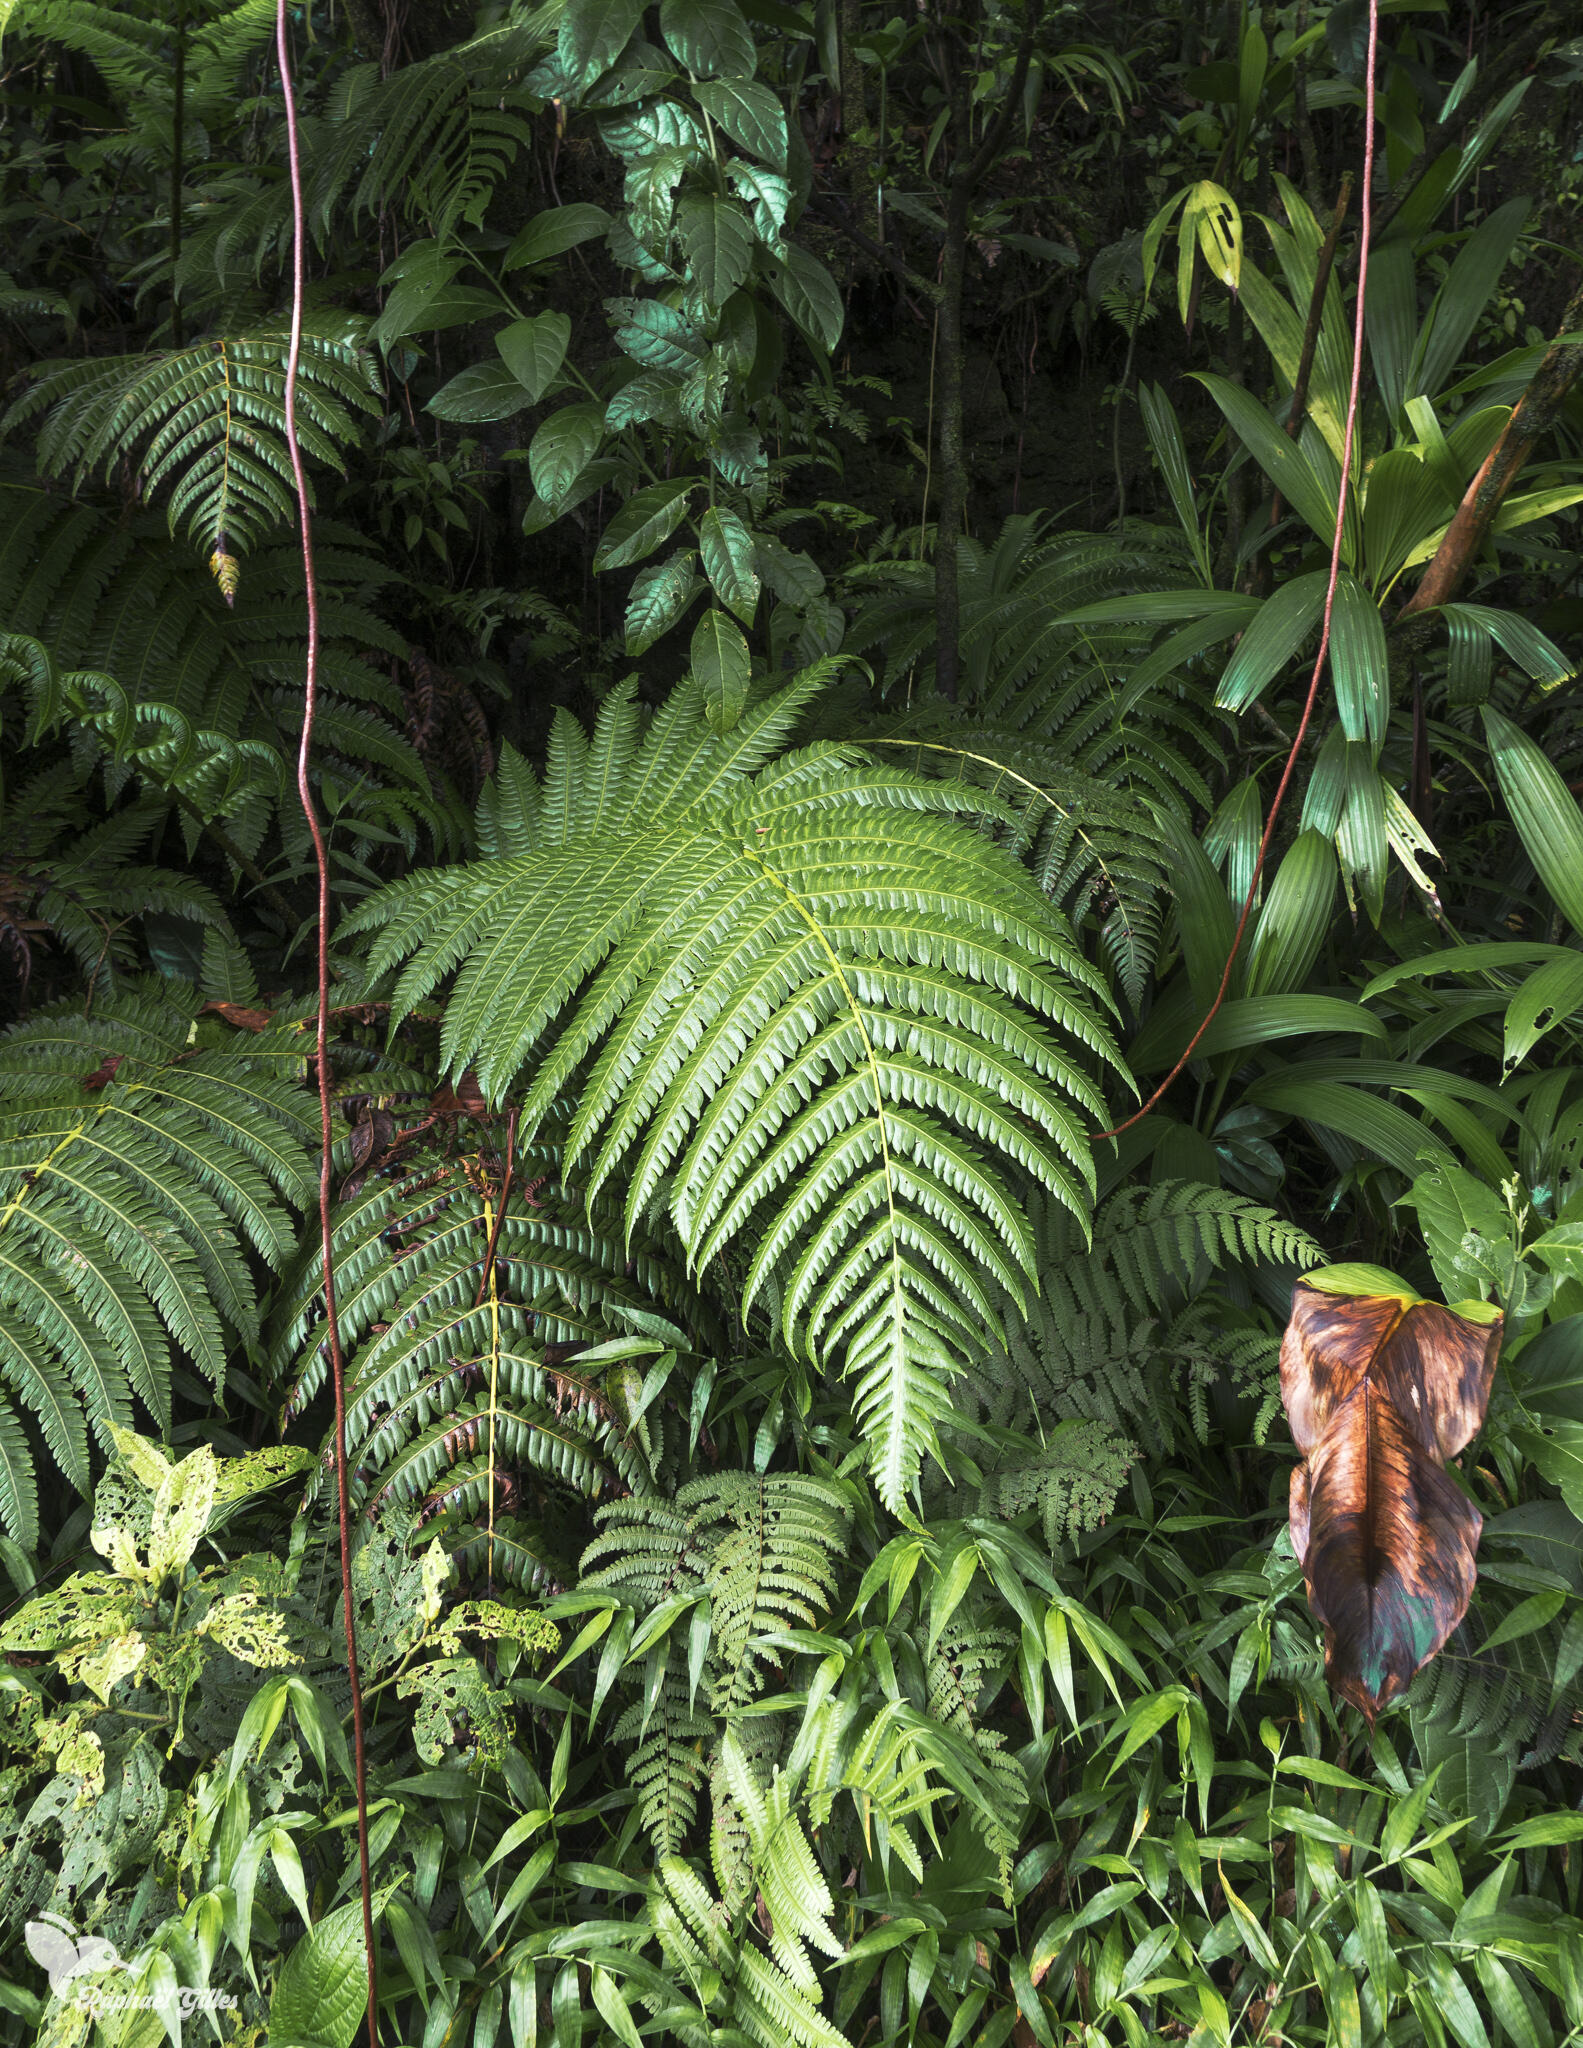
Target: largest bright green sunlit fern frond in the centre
(820,1019)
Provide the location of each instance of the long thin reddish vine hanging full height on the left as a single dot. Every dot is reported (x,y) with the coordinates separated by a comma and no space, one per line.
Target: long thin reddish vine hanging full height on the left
(323,1027)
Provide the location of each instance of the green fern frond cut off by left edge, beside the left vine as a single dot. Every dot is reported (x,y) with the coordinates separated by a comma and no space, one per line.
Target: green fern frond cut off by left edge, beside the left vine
(138,1175)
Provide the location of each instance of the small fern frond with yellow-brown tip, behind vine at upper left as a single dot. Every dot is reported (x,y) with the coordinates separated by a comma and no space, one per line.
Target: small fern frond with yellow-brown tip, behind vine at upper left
(206,425)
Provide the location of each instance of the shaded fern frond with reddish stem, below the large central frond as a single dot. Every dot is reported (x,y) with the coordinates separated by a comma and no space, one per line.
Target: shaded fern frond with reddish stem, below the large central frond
(460,1390)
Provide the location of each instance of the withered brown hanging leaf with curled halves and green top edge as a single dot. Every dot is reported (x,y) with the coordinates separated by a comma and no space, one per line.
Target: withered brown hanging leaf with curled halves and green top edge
(1381,1390)
